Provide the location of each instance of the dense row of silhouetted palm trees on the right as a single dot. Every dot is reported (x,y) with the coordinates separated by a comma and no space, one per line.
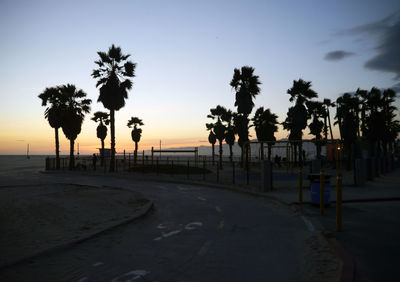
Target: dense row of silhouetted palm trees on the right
(370,112)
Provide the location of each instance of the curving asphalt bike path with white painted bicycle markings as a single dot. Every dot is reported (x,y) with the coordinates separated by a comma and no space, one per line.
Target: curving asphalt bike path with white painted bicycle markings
(193,234)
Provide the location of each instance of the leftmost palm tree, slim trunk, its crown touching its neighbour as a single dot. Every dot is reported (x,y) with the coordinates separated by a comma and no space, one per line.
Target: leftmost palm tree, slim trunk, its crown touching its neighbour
(53,114)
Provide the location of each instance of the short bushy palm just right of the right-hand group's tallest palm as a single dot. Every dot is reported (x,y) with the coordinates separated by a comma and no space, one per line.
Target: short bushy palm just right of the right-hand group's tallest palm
(265,124)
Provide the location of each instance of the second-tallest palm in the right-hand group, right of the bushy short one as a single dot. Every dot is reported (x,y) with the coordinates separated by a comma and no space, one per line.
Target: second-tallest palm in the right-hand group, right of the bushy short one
(300,93)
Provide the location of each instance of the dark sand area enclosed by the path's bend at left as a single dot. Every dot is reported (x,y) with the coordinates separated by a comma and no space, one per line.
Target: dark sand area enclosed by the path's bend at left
(34,218)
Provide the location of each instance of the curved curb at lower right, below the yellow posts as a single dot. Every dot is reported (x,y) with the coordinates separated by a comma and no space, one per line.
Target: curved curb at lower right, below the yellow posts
(348,265)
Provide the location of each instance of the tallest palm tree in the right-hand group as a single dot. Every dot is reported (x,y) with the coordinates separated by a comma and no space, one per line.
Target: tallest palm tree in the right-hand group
(246,86)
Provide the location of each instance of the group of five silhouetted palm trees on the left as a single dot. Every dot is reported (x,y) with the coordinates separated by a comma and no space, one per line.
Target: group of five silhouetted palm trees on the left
(67,106)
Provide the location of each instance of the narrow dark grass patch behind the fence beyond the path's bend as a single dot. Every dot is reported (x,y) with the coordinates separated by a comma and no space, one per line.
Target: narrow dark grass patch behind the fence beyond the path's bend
(169,169)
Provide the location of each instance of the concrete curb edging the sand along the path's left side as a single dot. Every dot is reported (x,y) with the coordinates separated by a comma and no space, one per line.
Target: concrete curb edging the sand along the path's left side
(144,210)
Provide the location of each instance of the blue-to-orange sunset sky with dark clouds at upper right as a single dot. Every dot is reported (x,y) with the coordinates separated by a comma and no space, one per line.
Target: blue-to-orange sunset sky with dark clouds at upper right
(186,52)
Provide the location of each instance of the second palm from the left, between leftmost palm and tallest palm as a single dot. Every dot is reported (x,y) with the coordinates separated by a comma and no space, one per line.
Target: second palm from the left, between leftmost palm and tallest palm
(74,112)
